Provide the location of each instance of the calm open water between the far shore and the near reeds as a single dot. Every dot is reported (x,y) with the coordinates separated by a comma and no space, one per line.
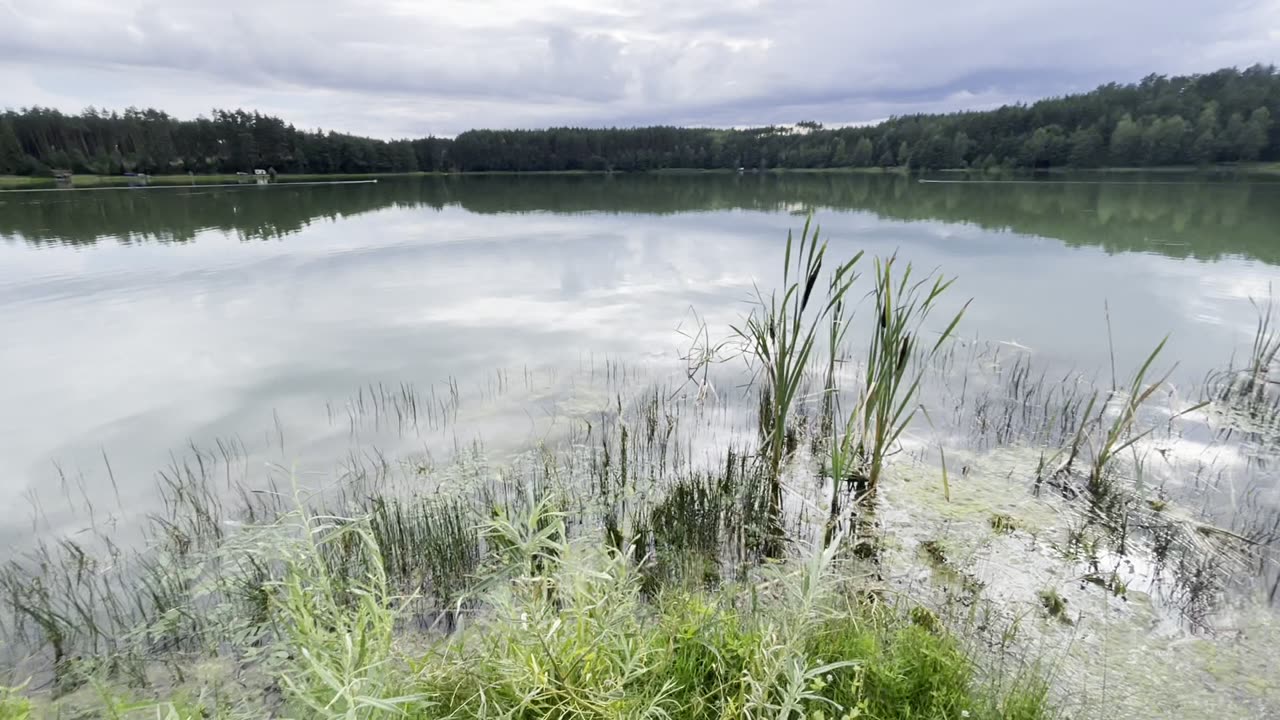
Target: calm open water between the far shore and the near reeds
(136,322)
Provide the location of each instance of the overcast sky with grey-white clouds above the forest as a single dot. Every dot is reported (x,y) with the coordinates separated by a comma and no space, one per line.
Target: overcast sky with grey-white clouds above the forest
(395,69)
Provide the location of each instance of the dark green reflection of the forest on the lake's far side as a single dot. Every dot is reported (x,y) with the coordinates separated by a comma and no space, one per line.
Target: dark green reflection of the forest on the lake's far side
(1194,220)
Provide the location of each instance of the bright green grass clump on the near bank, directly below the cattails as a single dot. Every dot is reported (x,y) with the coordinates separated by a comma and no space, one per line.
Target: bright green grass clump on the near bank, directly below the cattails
(801,649)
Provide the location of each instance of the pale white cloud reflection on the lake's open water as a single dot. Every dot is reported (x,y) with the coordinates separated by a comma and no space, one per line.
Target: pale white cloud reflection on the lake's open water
(138,349)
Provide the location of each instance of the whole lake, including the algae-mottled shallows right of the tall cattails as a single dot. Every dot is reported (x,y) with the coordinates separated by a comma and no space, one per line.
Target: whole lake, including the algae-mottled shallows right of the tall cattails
(300,331)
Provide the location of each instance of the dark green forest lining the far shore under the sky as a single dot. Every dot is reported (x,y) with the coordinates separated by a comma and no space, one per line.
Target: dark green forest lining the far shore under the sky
(1222,117)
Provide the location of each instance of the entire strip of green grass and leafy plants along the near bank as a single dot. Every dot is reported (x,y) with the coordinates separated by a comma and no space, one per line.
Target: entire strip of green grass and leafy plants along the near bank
(568,632)
